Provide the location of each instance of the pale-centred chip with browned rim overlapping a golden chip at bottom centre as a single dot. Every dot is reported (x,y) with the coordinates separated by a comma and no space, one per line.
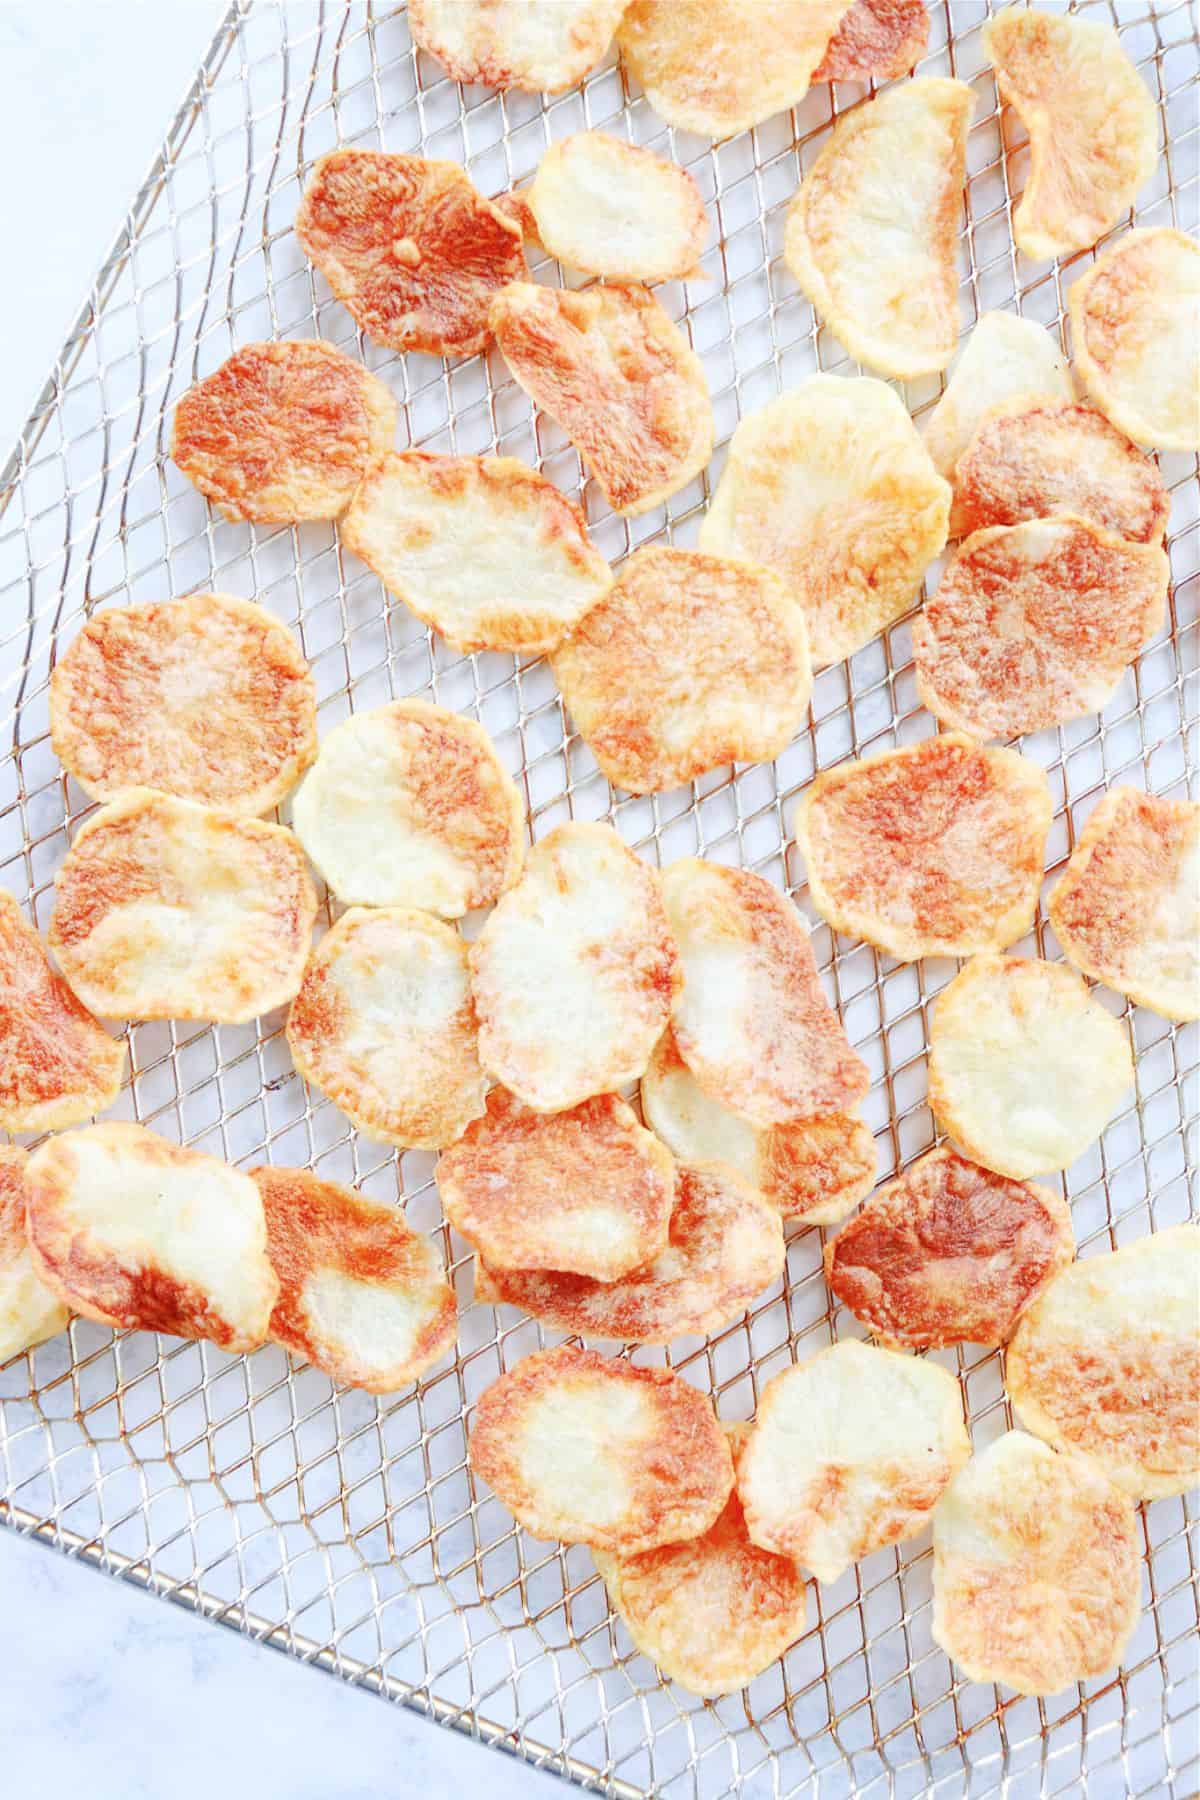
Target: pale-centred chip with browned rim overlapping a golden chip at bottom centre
(596,1452)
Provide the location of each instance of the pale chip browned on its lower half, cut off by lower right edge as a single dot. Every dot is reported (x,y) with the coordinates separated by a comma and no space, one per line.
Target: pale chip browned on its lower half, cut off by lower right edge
(1107,1363)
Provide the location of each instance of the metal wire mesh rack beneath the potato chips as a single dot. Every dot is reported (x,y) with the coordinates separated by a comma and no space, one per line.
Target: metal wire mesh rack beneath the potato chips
(346,1529)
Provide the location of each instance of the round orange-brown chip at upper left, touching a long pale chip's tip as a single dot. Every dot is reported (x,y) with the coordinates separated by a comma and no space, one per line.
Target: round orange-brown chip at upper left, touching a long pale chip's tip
(283,433)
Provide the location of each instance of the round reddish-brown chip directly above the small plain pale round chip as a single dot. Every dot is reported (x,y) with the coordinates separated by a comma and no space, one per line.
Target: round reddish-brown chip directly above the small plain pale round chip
(931,850)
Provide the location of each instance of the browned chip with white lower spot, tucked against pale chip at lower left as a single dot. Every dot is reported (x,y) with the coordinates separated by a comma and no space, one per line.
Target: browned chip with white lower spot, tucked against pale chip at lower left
(361,1295)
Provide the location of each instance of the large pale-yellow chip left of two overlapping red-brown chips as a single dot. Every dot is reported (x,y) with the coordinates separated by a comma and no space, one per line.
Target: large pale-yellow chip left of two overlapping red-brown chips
(832,489)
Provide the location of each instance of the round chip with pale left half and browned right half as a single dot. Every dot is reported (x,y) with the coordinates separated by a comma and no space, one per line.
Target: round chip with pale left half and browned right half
(409,805)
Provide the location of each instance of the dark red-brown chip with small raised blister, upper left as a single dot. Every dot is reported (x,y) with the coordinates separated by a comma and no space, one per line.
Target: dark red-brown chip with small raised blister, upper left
(411,249)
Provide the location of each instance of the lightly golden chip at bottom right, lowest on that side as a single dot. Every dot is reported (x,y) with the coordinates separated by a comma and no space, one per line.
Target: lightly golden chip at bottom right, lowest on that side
(1037,1569)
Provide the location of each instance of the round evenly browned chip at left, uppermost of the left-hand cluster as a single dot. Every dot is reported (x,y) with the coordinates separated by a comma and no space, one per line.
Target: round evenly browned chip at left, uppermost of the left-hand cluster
(204,697)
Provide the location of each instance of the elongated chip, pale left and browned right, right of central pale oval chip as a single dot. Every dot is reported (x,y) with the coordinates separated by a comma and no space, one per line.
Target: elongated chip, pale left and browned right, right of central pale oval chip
(753,1023)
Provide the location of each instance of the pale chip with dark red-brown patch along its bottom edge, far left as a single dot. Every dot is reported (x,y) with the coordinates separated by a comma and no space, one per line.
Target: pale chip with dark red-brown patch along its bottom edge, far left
(143,1236)
